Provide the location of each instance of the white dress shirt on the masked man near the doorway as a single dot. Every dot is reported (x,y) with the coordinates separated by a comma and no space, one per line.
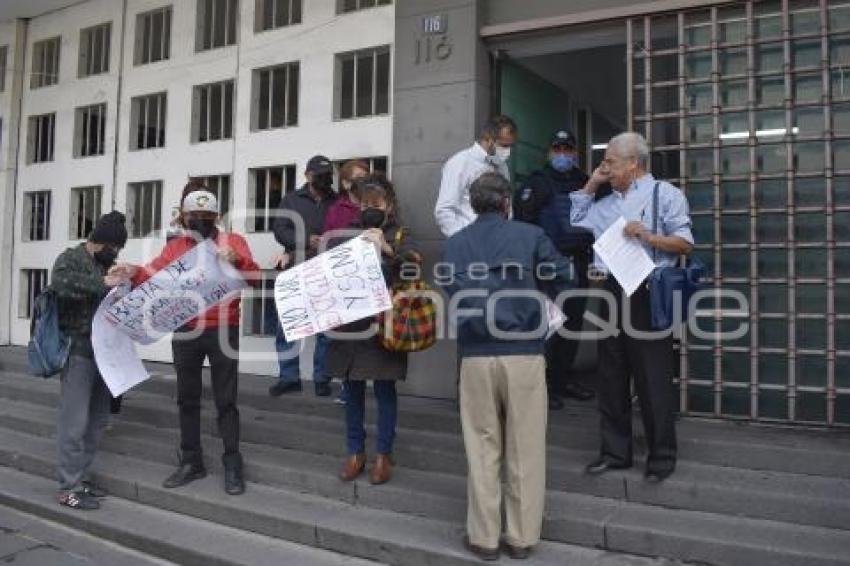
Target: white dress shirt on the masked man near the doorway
(454,211)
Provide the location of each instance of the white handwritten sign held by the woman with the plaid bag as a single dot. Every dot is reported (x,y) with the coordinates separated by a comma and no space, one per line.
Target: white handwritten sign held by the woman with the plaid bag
(334,288)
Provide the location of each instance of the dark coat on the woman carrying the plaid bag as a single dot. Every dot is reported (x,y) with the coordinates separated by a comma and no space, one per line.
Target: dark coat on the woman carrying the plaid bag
(362,359)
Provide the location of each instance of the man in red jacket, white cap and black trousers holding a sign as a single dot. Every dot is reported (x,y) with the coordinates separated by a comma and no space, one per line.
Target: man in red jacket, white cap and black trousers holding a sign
(214,334)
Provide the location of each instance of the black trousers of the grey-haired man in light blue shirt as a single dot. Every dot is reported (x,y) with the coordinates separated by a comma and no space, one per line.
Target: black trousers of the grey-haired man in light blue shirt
(650,363)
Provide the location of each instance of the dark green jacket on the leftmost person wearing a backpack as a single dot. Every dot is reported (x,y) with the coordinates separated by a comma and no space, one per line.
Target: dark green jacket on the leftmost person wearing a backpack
(77,280)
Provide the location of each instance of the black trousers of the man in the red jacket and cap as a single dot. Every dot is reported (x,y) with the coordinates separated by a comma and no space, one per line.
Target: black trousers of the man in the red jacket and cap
(189,355)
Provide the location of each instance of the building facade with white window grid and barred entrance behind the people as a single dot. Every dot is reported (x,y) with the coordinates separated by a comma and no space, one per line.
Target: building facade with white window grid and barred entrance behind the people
(746,106)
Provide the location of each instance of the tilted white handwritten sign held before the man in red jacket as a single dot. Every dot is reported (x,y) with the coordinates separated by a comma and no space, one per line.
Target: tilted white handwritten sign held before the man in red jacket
(181,291)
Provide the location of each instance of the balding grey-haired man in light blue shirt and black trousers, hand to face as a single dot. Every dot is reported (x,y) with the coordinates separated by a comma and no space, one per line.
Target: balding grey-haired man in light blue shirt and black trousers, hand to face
(649,361)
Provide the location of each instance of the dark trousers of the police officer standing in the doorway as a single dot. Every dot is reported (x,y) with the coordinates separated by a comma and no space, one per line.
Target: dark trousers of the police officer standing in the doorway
(561,352)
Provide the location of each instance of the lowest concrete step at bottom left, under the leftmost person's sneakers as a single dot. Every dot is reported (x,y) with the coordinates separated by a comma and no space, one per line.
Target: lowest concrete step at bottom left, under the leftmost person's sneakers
(178,538)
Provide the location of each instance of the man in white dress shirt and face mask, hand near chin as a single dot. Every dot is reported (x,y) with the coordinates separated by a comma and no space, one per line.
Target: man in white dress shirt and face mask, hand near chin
(487,155)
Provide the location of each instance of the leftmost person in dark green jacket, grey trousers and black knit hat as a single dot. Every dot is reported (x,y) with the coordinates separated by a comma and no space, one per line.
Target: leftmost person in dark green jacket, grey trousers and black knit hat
(80,282)
